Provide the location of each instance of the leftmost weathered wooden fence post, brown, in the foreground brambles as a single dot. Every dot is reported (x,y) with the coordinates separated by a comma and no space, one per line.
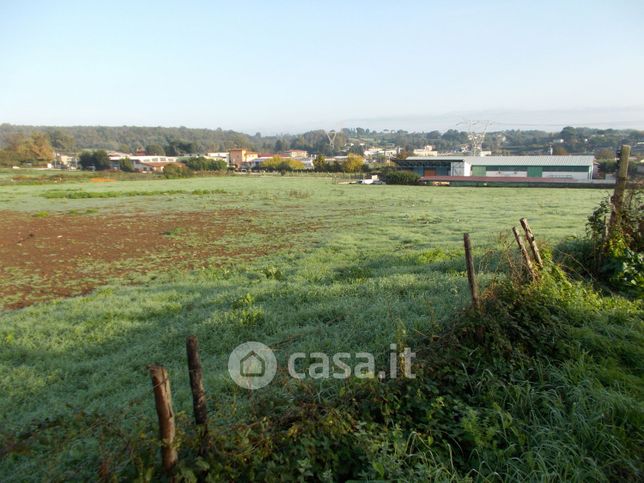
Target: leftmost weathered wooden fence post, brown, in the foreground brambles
(165,413)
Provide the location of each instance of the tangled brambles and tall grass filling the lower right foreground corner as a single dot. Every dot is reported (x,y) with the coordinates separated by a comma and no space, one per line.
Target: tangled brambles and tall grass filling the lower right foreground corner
(525,390)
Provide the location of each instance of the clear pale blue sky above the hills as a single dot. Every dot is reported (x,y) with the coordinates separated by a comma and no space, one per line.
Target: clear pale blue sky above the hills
(291,66)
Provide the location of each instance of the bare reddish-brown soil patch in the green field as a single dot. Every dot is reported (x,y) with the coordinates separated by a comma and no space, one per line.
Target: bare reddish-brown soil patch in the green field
(44,258)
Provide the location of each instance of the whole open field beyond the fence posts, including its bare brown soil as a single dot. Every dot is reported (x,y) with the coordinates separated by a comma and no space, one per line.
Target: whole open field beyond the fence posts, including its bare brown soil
(297,263)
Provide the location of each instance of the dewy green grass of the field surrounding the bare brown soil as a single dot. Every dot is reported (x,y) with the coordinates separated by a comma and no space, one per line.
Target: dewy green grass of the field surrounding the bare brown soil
(381,265)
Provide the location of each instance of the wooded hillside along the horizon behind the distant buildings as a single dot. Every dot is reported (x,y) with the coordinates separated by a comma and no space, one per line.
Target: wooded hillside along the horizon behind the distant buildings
(130,138)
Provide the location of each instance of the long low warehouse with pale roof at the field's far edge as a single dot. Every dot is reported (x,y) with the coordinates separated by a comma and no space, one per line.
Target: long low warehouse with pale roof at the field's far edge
(573,168)
